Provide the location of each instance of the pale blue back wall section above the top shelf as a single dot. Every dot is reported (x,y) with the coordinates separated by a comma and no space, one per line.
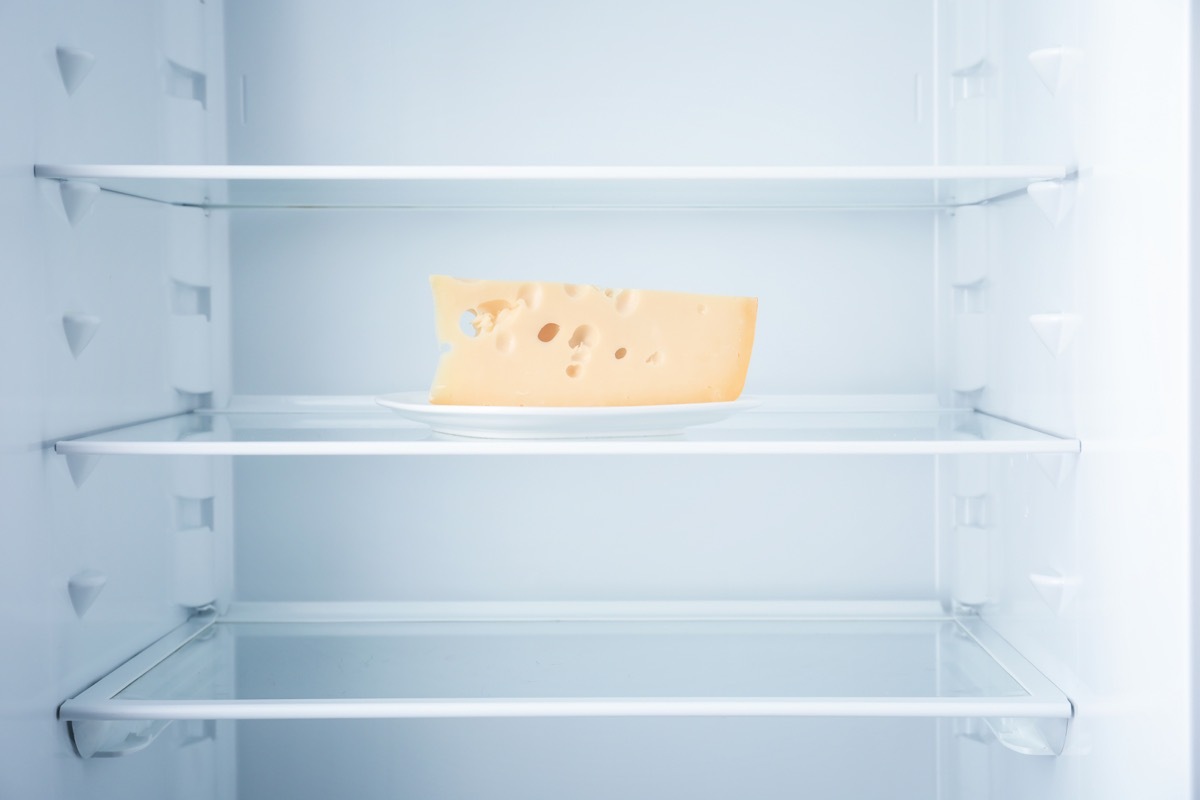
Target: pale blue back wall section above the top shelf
(471,82)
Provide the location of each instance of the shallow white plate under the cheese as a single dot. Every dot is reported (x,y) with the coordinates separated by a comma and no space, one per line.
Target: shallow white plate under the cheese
(560,423)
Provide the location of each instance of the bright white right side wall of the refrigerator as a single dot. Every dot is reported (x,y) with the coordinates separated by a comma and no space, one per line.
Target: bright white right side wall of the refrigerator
(1088,308)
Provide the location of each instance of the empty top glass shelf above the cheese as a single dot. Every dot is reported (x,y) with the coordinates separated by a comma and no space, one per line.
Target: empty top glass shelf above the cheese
(410,187)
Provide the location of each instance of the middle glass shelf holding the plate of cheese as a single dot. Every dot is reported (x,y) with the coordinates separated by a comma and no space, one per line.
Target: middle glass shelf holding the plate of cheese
(764,431)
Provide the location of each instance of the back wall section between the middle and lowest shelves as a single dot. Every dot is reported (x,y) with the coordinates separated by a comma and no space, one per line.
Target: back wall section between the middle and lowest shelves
(585,528)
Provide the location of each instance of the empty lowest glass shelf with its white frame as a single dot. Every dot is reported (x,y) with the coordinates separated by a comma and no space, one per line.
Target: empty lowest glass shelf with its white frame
(221,670)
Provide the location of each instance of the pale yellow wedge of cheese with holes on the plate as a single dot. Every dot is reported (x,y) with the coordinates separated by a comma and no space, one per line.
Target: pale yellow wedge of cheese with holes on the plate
(512,344)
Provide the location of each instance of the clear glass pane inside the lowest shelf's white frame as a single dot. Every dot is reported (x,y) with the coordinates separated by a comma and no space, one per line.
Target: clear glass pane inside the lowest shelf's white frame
(581,660)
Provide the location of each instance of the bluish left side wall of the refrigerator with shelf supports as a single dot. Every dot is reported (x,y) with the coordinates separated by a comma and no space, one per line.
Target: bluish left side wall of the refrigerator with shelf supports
(92,296)
